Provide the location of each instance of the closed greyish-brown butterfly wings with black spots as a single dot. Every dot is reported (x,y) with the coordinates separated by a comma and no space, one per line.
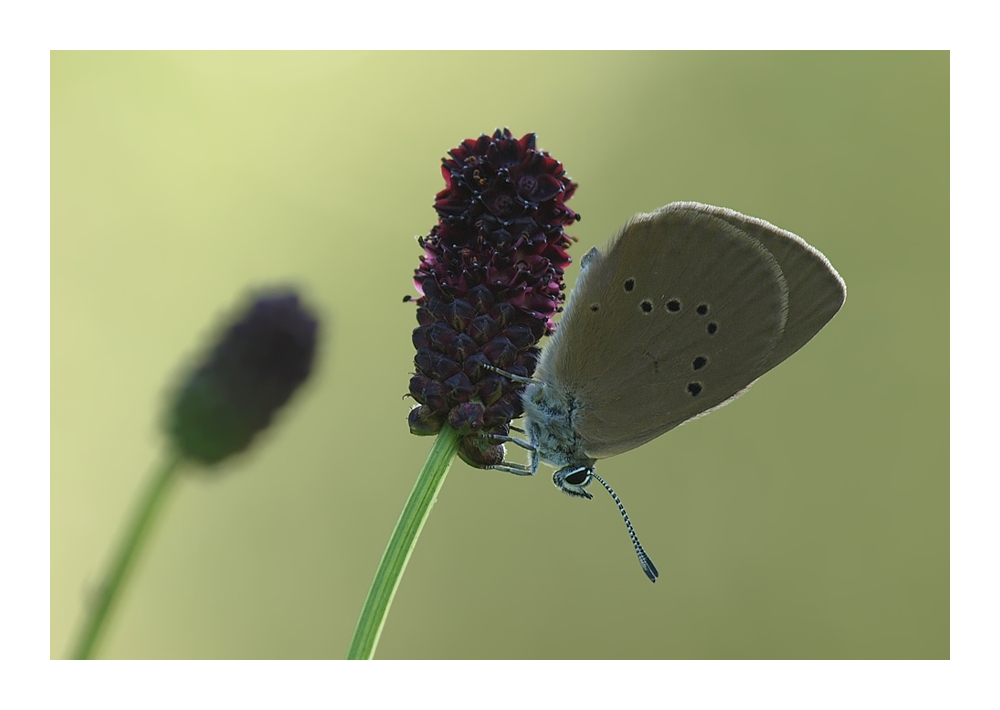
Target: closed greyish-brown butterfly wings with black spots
(687,307)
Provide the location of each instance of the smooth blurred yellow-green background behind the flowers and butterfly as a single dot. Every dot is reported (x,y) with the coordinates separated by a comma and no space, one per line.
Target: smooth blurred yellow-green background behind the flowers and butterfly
(808,520)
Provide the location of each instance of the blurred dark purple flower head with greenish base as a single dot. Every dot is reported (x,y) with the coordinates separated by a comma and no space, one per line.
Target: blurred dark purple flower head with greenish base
(258,362)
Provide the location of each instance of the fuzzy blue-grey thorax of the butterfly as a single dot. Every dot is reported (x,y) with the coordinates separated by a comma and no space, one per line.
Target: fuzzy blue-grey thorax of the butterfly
(550,411)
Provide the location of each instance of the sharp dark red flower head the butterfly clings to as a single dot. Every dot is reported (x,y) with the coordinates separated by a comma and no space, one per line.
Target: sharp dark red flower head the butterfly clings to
(490,279)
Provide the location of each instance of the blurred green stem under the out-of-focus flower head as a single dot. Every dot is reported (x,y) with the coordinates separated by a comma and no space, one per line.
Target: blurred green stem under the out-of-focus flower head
(108,591)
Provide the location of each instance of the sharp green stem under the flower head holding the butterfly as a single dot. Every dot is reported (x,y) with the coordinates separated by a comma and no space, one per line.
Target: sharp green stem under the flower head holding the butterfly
(404,539)
